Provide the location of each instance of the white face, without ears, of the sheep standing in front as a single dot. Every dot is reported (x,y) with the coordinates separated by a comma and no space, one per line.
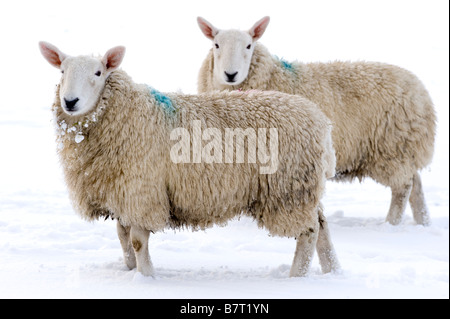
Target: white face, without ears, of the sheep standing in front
(83,80)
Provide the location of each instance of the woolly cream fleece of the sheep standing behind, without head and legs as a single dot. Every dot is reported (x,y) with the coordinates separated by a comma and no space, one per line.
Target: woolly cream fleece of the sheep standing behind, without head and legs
(383,118)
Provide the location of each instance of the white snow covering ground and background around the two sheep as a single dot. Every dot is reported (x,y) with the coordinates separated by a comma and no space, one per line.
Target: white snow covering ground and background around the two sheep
(47,251)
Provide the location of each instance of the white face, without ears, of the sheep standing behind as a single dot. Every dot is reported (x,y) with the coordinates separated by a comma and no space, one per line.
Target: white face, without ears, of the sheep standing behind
(233,52)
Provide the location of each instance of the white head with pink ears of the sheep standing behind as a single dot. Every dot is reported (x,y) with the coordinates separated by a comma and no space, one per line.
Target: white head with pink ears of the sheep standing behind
(233,50)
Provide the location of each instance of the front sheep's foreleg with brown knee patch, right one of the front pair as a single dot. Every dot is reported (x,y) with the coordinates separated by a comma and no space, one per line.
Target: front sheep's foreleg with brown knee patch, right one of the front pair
(139,241)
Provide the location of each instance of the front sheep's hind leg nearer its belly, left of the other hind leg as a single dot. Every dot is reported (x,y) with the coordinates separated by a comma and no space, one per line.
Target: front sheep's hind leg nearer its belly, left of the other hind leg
(304,252)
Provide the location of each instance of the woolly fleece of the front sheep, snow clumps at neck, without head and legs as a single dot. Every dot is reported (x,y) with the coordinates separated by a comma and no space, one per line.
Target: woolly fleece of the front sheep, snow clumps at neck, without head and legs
(116,159)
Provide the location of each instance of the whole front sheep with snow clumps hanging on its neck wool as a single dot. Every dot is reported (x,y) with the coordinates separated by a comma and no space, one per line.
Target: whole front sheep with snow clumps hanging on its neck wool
(140,156)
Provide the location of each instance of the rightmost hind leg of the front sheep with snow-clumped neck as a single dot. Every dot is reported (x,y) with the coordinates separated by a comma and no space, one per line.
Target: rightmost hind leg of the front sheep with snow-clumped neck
(325,250)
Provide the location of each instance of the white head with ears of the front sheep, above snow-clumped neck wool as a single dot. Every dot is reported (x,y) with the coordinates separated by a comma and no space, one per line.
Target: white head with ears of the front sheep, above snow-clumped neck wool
(83,77)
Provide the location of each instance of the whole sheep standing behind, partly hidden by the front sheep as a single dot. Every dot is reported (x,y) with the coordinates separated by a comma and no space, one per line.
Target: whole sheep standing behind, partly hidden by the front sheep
(383,118)
